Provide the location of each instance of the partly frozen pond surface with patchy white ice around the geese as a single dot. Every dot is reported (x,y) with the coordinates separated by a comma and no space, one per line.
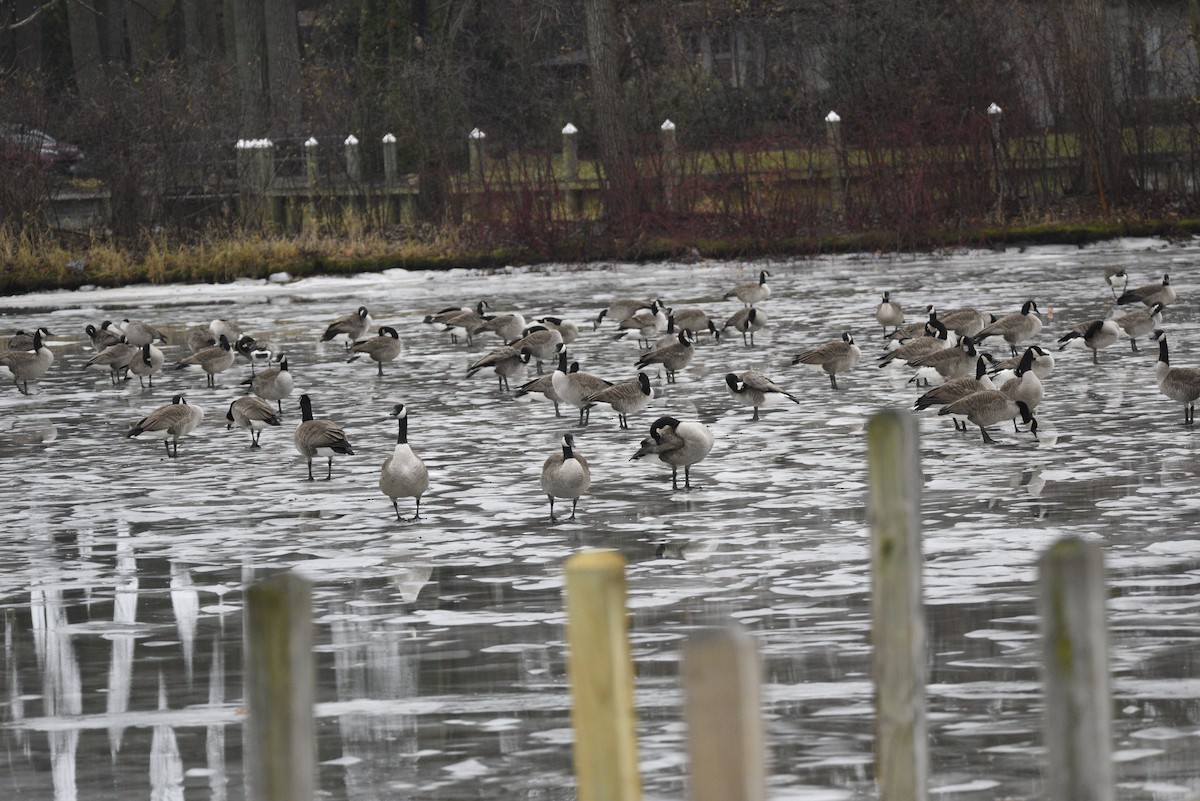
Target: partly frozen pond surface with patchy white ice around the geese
(442,651)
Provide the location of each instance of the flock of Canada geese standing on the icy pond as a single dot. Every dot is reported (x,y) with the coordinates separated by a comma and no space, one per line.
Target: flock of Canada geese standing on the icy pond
(943,351)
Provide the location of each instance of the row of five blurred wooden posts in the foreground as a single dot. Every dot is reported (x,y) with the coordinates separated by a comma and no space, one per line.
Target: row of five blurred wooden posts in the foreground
(722,668)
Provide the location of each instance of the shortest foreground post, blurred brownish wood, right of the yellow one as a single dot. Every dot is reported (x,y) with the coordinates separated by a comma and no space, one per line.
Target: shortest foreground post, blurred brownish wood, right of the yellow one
(723,679)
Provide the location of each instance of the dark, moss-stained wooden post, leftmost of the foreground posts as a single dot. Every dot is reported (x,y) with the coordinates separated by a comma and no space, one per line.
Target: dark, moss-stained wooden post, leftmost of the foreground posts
(281,730)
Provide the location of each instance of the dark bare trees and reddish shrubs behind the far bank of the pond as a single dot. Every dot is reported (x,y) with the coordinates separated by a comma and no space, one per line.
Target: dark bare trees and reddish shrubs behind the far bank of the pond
(1096,100)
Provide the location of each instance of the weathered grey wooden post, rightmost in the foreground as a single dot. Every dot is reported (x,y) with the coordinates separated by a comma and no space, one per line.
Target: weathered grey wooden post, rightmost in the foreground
(1078,700)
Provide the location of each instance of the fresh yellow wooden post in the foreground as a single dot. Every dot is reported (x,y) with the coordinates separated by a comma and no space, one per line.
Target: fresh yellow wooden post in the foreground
(602,677)
